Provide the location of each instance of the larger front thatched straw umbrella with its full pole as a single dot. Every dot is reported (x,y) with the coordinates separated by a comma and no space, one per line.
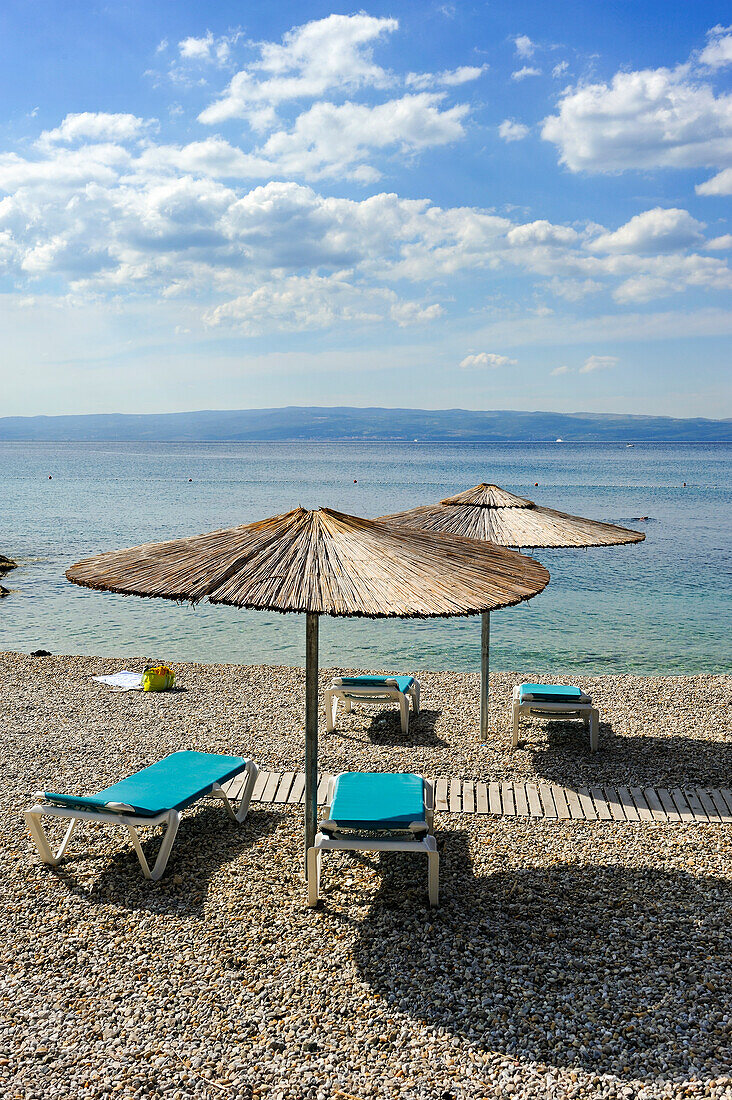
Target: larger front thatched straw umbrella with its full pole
(321,564)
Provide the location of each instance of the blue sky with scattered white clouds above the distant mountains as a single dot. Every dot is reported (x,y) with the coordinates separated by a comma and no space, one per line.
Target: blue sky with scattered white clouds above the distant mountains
(508,205)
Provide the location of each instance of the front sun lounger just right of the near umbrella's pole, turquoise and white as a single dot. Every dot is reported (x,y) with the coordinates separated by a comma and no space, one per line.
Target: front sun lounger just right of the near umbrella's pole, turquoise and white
(377,812)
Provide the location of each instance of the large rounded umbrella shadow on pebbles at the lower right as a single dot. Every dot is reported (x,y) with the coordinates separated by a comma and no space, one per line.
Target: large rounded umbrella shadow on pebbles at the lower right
(606,969)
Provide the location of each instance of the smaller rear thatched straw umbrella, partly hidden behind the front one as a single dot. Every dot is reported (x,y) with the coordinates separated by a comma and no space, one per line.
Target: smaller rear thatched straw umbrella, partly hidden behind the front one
(489,513)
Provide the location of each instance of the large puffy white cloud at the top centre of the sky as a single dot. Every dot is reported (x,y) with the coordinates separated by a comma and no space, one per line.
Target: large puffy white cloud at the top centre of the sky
(326,61)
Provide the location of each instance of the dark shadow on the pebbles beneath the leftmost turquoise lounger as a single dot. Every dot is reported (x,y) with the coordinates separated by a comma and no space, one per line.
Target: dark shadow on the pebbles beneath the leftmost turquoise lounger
(206,843)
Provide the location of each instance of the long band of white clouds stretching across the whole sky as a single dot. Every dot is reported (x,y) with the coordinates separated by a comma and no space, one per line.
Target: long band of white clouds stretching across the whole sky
(178,218)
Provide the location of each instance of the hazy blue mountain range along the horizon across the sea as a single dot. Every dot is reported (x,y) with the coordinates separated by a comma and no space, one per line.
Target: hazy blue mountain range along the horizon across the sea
(334,425)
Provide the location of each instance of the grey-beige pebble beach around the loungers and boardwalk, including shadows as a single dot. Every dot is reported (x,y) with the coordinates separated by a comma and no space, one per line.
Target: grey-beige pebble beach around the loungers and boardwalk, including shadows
(566,960)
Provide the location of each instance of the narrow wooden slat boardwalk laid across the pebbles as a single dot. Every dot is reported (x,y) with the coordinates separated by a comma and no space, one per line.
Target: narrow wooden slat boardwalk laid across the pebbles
(692,806)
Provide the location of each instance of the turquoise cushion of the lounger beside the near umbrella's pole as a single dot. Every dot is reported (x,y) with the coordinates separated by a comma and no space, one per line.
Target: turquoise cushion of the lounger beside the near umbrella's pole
(377,800)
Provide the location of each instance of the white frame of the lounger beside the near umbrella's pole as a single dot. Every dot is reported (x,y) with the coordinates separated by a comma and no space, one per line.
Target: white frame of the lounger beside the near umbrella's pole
(425,845)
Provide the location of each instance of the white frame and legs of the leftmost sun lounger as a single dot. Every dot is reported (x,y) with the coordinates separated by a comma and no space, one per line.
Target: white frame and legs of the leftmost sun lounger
(118,813)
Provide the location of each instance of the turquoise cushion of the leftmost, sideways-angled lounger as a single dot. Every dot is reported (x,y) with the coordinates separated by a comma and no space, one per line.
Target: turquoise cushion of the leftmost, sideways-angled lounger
(172,784)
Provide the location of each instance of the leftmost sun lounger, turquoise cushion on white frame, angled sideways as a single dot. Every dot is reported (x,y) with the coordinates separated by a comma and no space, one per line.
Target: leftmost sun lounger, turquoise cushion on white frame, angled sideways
(156,796)
